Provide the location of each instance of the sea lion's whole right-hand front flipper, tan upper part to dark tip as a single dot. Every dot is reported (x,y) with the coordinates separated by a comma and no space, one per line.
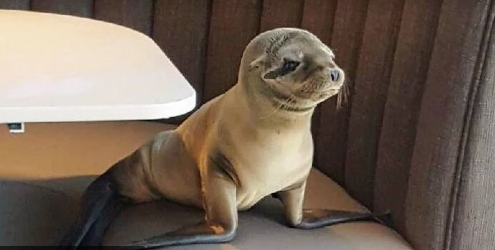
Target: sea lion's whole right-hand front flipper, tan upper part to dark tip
(299,217)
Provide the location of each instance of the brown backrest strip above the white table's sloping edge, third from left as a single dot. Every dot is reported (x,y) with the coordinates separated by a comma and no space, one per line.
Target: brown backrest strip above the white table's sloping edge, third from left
(135,14)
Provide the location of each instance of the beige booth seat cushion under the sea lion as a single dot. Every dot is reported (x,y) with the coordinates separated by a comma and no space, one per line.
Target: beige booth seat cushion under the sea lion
(66,157)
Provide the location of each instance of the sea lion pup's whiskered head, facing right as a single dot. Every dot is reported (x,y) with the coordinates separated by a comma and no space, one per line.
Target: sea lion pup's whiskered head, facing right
(293,68)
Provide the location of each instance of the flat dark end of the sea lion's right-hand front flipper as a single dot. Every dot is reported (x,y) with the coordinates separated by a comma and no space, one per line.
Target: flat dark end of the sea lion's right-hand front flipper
(316,218)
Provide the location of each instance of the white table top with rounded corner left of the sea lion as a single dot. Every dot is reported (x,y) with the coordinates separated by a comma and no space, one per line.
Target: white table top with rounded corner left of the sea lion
(56,68)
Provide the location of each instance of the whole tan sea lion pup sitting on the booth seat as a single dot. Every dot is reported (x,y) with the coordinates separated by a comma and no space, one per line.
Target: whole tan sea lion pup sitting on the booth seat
(250,142)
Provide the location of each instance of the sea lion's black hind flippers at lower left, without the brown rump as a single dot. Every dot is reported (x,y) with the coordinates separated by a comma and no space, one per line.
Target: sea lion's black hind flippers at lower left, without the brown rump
(100,204)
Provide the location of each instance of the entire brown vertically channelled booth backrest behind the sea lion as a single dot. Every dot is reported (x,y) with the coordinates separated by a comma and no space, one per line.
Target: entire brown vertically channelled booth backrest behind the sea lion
(415,68)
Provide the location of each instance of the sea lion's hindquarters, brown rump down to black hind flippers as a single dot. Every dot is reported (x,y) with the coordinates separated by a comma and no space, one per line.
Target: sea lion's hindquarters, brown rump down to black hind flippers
(122,184)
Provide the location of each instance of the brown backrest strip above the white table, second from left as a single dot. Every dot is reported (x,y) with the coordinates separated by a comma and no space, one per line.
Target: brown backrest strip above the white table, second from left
(82,8)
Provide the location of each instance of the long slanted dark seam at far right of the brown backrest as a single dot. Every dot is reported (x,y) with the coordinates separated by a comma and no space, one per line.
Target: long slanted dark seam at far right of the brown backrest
(480,67)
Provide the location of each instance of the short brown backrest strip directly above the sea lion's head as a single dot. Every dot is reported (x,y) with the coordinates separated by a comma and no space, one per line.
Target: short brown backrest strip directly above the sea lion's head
(281,13)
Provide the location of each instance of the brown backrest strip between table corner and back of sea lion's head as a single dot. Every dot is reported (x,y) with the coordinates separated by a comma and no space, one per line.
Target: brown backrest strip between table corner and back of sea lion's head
(233,24)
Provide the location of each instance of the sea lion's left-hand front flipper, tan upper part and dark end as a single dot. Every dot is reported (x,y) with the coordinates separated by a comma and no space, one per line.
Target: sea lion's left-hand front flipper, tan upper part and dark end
(221,217)
